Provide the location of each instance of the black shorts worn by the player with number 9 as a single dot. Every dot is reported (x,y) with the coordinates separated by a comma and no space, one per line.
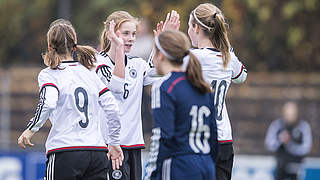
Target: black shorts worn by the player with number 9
(84,165)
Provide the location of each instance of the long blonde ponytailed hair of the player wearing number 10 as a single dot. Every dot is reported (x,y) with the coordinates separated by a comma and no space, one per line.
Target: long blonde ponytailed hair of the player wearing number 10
(211,20)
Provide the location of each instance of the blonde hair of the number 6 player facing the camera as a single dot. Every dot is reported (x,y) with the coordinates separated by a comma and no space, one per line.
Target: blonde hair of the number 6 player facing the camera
(119,17)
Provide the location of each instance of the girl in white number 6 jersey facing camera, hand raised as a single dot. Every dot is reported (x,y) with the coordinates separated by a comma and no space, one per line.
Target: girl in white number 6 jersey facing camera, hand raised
(126,79)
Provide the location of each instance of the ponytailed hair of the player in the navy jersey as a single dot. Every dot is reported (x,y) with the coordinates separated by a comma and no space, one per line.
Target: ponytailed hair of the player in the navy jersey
(176,44)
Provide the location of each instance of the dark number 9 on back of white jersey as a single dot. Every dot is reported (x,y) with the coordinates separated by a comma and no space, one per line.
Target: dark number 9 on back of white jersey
(84,108)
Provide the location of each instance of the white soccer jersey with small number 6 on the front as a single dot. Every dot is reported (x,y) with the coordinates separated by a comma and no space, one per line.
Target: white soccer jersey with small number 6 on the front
(128,92)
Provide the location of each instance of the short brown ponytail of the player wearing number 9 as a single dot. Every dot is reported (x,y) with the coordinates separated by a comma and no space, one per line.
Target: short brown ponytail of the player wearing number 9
(86,55)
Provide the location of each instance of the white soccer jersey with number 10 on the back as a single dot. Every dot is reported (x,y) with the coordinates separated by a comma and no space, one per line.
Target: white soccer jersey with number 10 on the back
(220,78)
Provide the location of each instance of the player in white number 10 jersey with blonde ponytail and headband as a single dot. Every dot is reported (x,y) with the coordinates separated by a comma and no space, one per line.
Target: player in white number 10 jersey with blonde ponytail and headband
(208,32)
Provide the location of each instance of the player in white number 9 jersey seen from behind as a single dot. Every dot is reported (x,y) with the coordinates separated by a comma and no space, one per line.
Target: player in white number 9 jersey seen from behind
(69,96)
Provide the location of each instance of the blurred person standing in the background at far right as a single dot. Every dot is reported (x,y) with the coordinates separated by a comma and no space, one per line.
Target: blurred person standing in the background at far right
(289,137)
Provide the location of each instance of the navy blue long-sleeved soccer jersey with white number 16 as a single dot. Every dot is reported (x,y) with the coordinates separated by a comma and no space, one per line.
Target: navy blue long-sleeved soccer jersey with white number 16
(184,122)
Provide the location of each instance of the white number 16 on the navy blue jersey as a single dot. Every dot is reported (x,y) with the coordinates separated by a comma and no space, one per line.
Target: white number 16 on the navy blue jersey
(197,128)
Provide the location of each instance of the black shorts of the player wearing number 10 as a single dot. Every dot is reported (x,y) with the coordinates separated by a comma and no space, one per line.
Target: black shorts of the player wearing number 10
(224,162)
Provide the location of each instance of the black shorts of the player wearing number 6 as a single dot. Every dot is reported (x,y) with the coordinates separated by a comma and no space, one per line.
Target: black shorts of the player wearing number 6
(131,166)
